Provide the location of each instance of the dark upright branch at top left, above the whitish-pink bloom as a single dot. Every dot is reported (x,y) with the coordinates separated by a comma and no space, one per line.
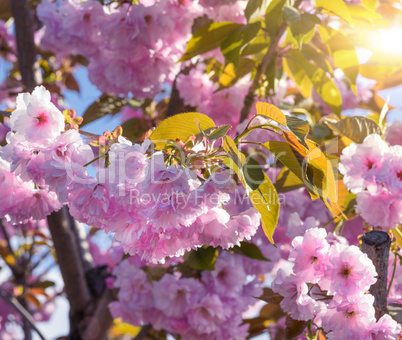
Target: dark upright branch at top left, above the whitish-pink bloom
(24,20)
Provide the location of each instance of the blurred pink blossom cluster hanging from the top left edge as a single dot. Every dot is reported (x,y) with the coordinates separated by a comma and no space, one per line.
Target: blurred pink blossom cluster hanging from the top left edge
(132,49)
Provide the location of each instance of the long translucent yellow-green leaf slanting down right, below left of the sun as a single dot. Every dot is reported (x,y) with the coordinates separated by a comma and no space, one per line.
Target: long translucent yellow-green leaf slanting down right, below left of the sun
(324,86)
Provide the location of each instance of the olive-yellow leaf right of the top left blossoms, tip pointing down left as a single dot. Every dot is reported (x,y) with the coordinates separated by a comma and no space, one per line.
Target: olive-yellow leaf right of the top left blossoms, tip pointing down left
(208,38)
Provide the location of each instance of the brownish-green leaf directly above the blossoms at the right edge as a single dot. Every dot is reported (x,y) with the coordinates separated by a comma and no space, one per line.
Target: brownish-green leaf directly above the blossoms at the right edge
(355,128)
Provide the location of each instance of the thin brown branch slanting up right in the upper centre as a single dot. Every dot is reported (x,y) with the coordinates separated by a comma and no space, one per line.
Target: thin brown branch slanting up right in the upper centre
(262,67)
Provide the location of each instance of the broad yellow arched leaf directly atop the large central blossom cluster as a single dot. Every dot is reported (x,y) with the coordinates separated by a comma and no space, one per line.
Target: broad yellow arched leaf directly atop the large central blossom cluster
(181,126)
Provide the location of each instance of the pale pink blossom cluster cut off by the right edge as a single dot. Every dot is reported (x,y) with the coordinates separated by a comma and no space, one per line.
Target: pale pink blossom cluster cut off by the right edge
(373,171)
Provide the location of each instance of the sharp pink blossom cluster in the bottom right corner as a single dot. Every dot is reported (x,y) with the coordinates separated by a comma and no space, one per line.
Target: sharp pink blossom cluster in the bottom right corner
(328,285)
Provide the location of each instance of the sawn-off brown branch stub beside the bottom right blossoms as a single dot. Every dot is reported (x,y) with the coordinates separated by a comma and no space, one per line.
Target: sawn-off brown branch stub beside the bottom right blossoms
(376,245)
